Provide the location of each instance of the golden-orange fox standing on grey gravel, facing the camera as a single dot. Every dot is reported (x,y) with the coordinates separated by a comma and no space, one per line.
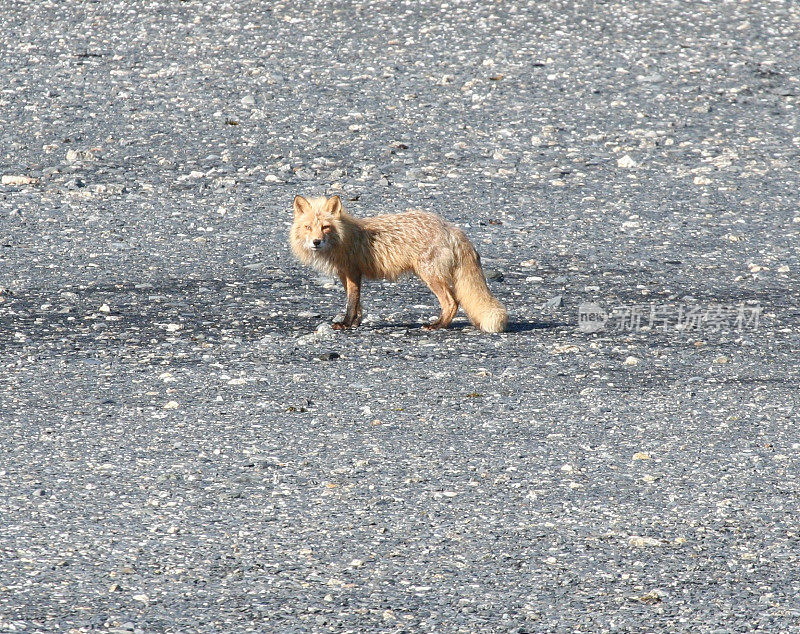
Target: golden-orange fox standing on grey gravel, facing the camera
(326,237)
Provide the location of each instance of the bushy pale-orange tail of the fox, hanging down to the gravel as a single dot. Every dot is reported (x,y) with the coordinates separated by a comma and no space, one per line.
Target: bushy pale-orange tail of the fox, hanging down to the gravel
(473,294)
